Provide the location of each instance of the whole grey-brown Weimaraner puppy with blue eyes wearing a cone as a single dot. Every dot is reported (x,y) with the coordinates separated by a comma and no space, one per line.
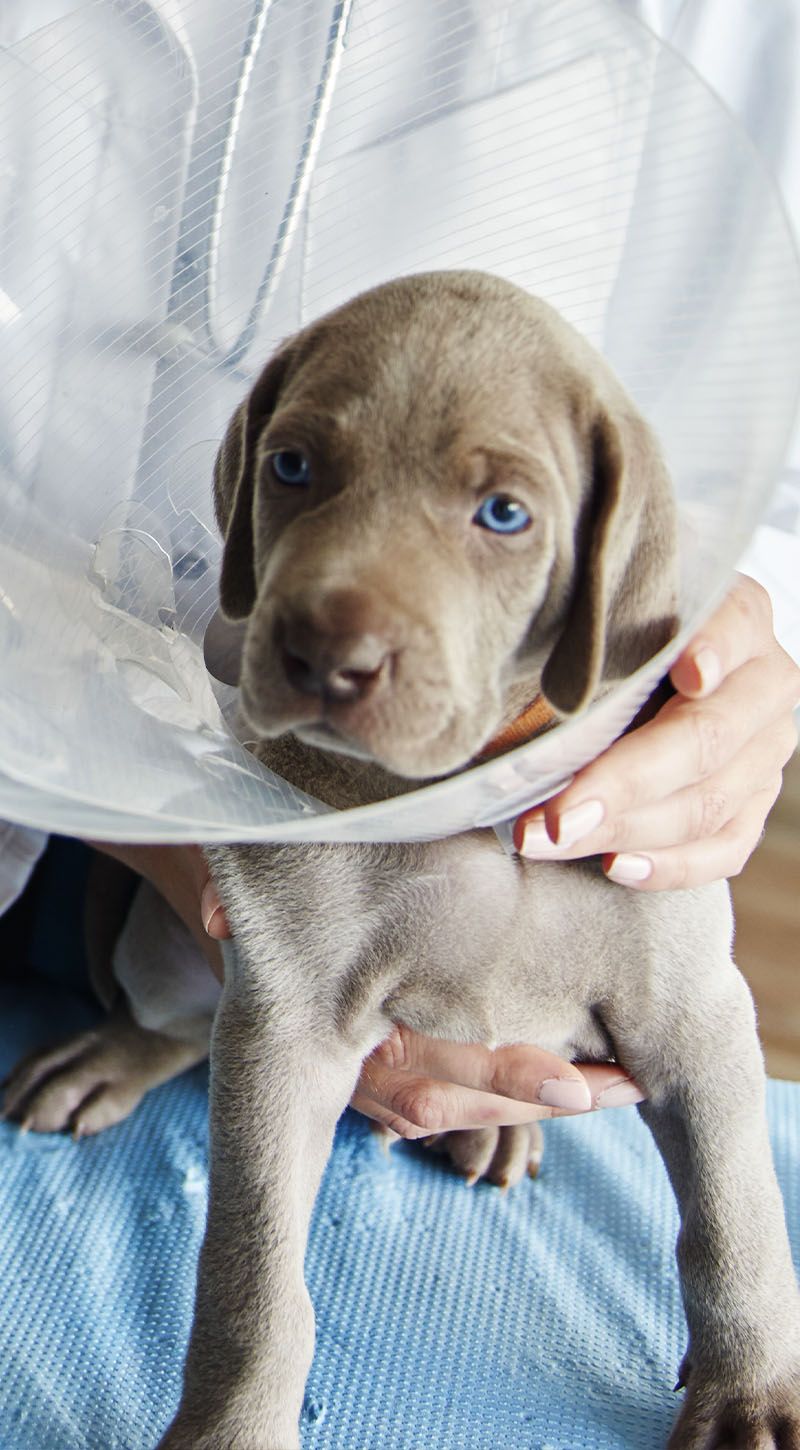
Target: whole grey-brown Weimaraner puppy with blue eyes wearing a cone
(438,504)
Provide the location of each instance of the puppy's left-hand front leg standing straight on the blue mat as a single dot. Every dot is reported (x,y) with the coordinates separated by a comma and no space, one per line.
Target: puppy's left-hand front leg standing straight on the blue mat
(280,1081)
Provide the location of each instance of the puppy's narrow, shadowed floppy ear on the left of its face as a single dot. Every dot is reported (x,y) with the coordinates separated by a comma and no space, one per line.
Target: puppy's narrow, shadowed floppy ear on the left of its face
(236,488)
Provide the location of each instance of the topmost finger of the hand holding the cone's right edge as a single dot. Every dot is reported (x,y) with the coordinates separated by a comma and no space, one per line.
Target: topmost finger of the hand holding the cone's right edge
(740,630)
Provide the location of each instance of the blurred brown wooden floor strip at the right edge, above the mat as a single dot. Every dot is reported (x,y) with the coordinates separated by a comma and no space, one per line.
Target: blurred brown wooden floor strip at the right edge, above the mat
(767,903)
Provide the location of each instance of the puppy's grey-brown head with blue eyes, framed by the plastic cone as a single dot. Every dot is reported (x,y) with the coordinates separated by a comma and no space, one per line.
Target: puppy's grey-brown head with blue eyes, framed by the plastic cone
(431,497)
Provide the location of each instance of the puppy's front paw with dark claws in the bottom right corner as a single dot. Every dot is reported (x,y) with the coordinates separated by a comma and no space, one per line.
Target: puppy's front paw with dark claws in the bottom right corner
(715,1420)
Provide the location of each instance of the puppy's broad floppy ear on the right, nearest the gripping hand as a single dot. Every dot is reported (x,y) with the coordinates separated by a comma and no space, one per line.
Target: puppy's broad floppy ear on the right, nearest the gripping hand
(622,608)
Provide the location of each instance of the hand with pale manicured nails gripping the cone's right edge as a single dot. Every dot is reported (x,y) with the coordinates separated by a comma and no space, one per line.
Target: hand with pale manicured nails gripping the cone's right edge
(683,800)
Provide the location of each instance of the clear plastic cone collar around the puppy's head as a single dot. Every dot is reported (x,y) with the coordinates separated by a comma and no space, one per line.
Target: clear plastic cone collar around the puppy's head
(183,189)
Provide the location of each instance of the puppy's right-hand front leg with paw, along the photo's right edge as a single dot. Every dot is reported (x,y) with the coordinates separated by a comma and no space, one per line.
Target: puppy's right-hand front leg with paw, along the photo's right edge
(743,1306)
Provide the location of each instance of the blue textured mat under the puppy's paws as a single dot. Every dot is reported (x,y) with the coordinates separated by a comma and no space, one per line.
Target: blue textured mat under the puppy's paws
(456,1319)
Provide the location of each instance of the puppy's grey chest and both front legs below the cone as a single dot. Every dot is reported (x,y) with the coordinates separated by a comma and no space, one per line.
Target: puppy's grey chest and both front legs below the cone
(457,940)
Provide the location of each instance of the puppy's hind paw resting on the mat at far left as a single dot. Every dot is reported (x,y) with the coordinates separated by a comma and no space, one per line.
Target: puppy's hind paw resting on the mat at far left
(92,1081)
